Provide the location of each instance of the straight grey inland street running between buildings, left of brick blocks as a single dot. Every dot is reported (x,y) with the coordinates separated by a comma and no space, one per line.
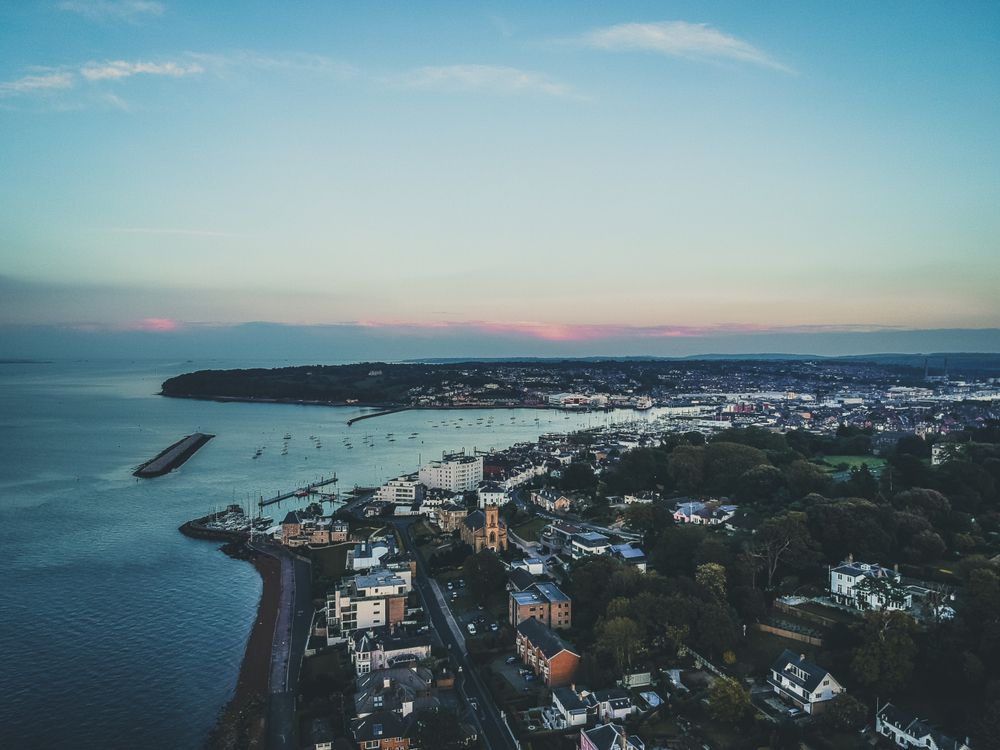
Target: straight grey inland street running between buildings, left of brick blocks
(492,728)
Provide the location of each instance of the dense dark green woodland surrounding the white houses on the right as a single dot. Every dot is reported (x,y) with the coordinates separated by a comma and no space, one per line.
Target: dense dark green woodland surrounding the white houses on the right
(938,523)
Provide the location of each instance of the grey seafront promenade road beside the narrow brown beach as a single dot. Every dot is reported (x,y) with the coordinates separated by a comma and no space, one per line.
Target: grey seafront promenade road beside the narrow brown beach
(291,633)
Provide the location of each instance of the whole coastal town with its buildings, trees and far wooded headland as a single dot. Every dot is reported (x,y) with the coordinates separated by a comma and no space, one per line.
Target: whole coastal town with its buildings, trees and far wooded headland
(783,554)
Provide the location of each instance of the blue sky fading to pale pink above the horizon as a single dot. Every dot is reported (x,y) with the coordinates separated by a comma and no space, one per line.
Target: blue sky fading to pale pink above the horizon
(629,177)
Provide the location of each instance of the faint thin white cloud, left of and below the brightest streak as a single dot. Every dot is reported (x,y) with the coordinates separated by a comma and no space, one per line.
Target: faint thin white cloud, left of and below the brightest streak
(491,78)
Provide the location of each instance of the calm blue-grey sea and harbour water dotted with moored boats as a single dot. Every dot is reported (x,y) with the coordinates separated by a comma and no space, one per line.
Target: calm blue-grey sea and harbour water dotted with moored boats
(115,630)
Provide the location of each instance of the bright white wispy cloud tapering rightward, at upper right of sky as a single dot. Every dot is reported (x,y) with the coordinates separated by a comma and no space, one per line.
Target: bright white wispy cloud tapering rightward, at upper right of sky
(679,39)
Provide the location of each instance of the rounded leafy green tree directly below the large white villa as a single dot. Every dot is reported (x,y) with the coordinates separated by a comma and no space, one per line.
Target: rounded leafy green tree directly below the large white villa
(884,660)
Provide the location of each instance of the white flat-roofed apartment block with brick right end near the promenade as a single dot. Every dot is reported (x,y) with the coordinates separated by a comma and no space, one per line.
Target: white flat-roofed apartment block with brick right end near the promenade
(367,601)
